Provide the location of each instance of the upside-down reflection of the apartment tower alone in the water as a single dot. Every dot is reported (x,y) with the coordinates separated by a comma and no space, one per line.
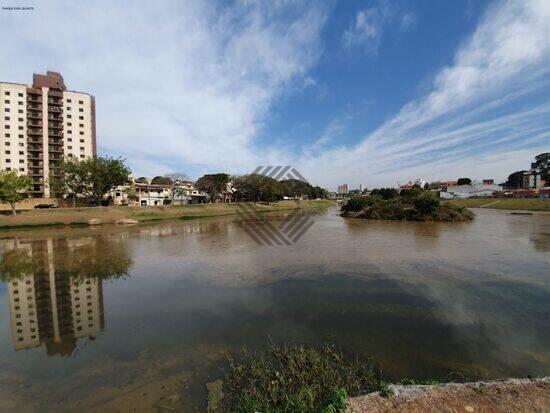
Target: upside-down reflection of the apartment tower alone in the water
(51,307)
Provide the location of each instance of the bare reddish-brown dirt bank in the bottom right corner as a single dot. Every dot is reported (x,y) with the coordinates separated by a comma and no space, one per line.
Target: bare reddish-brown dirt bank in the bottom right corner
(513,395)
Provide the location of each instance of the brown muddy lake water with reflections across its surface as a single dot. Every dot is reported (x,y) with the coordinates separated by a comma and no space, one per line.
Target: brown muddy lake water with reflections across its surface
(140,318)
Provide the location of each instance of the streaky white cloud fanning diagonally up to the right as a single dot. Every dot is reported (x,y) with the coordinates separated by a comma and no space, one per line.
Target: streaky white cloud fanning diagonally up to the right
(486,115)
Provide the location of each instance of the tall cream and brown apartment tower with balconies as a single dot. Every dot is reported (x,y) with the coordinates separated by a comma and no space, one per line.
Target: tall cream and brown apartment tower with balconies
(41,124)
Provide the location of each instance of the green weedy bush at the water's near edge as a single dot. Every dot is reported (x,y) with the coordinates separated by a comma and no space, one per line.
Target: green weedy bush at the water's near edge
(297,378)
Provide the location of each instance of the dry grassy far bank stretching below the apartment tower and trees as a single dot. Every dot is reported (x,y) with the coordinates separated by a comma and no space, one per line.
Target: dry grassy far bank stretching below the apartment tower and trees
(80,216)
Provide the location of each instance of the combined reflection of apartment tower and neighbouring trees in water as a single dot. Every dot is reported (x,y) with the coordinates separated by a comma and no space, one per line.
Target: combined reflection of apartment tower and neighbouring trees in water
(55,289)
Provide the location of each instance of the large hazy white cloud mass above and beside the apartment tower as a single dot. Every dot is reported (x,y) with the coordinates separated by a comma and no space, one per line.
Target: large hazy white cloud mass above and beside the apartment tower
(182,83)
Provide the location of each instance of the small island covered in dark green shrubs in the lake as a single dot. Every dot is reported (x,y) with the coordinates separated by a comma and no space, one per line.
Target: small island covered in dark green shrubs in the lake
(415,204)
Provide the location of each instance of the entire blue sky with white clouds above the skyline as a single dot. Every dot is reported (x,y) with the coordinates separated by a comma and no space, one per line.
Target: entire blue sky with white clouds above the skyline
(372,92)
